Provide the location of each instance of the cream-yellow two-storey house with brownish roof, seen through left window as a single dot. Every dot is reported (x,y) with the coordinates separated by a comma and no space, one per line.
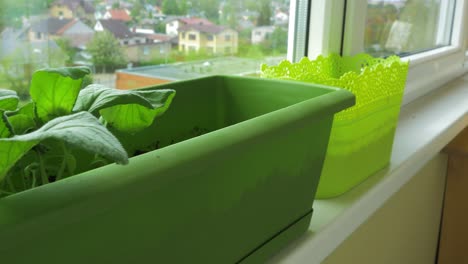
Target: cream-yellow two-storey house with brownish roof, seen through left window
(210,38)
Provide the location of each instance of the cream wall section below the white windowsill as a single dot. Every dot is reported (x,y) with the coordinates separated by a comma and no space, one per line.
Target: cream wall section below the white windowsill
(406,228)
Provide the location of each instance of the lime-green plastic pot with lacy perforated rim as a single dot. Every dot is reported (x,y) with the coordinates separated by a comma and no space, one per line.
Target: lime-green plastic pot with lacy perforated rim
(362,136)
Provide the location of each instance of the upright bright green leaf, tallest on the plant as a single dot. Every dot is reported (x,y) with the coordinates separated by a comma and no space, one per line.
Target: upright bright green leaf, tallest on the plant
(54,91)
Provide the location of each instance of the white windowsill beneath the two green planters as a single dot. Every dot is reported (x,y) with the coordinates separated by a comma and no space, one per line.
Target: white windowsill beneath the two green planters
(426,125)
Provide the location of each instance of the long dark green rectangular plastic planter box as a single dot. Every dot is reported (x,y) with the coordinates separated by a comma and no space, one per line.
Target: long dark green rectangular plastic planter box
(237,193)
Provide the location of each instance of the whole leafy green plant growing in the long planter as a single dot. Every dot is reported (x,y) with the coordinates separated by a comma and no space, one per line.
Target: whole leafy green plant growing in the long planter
(64,129)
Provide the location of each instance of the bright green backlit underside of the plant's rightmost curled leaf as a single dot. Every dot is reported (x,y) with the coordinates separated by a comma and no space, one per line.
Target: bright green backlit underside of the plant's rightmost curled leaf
(131,118)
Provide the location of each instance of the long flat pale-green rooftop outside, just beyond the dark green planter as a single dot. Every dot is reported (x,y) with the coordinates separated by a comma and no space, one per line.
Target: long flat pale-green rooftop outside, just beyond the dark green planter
(196,69)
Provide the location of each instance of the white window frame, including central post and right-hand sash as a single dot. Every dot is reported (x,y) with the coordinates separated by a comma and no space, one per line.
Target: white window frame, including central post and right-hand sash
(328,33)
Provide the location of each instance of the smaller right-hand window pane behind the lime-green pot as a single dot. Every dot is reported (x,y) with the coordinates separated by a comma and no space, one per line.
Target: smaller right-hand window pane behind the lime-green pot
(406,27)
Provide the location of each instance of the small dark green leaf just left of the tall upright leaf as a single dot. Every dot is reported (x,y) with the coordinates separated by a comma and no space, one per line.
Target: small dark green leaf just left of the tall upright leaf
(22,120)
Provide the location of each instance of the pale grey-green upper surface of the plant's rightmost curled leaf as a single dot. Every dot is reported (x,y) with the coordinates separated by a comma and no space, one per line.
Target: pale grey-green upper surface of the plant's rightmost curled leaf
(96,97)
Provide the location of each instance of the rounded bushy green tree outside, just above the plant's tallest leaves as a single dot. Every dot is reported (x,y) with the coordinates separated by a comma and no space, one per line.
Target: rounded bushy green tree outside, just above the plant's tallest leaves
(106,50)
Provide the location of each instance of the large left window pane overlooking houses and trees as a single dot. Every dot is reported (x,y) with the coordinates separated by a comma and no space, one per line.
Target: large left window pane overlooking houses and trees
(67,33)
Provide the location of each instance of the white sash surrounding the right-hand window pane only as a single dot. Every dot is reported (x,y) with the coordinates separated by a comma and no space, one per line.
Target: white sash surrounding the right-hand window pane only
(429,69)
